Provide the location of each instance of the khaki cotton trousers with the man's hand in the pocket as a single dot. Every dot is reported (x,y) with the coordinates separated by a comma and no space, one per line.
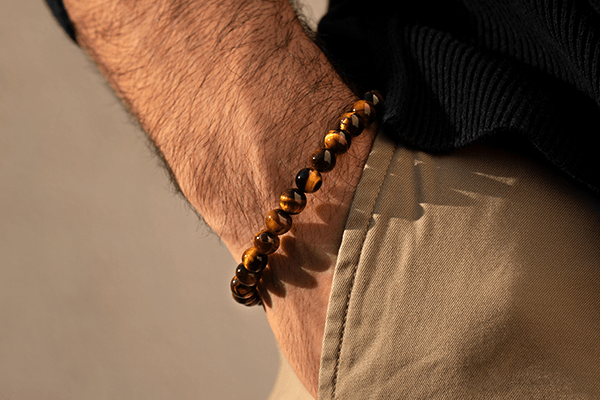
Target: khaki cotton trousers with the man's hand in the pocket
(472,275)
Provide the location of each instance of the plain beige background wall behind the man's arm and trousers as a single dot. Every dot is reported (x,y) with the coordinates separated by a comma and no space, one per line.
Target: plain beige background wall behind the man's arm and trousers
(109,286)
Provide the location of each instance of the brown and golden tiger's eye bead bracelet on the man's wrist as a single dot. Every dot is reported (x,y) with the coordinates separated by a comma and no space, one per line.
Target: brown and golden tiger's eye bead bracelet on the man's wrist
(292,201)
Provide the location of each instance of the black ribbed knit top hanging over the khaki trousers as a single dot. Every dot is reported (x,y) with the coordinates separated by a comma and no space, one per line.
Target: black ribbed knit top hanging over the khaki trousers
(453,72)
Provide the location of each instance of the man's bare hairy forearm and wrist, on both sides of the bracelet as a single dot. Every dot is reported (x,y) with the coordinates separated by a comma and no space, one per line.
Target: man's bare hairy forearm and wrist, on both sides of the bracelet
(236,97)
